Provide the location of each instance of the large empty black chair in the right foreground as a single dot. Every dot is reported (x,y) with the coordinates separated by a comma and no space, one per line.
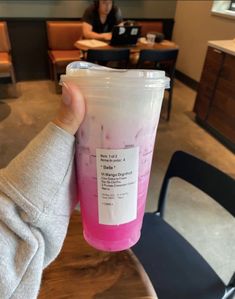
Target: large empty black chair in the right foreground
(175,268)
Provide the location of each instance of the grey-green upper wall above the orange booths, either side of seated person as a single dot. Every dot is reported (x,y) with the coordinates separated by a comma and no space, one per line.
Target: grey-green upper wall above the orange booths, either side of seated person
(74,9)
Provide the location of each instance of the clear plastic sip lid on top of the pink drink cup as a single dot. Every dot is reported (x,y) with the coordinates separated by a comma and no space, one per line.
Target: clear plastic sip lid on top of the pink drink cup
(82,69)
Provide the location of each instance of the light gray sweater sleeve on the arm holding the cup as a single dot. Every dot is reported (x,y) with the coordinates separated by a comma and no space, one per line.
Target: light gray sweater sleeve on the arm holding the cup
(37,191)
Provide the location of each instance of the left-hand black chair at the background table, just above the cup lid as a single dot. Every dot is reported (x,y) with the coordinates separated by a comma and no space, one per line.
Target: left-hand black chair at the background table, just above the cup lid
(117,58)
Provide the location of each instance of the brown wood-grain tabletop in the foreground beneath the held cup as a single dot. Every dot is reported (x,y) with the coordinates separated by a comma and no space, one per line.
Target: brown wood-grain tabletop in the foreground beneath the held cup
(83,272)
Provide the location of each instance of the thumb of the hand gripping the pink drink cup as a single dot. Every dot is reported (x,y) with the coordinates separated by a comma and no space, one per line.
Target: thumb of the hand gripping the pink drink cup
(72,108)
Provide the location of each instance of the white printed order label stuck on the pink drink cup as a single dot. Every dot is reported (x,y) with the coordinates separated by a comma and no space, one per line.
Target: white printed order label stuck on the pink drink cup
(117,179)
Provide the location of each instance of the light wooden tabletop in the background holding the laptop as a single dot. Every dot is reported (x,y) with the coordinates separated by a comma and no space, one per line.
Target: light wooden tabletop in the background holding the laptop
(133,49)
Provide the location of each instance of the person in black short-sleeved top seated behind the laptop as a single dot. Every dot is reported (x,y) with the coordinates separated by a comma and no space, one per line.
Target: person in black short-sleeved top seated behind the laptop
(99,19)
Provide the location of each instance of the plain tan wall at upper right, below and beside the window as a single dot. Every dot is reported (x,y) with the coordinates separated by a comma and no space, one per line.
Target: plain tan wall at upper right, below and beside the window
(194,26)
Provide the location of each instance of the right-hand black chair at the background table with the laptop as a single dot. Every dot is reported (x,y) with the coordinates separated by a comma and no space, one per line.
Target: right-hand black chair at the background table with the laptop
(160,60)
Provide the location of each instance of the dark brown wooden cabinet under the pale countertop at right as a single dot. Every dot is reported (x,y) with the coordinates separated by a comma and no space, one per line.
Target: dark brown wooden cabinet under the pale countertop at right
(215,101)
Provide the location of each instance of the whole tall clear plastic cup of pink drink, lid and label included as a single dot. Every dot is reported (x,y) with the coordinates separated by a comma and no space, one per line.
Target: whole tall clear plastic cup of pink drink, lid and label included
(114,150)
